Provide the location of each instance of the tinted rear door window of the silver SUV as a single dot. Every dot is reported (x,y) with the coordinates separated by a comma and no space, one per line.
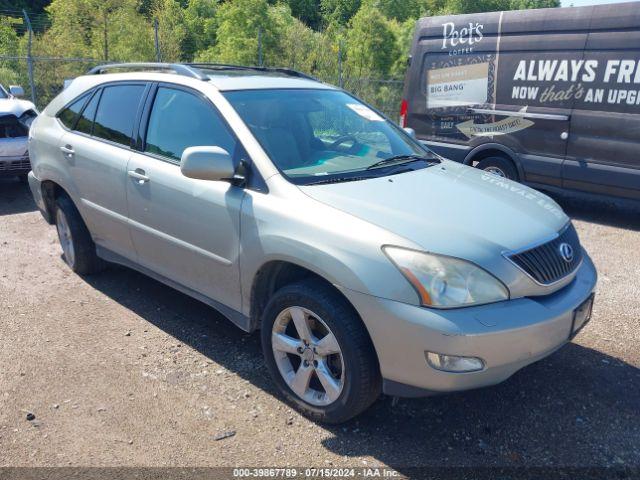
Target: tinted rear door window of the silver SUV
(117,112)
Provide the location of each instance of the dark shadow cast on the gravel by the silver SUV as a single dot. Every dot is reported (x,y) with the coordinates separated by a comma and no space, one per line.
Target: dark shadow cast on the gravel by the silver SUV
(577,407)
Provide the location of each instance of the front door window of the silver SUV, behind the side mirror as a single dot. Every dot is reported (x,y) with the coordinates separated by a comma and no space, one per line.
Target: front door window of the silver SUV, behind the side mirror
(180,120)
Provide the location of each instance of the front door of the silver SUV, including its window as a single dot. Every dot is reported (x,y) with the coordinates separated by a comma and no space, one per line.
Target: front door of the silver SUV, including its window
(184,229)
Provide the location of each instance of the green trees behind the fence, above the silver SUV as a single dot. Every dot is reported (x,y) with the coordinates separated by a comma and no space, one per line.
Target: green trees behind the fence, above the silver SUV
(356,40)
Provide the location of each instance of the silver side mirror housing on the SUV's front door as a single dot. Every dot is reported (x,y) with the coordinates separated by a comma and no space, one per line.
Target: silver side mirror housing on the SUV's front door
(207,163)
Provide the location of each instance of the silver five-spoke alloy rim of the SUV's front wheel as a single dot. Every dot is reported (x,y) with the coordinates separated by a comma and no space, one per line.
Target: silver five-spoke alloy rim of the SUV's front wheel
(308,356)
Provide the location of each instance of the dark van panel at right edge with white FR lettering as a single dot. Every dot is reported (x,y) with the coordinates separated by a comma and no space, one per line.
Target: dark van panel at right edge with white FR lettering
(605,126)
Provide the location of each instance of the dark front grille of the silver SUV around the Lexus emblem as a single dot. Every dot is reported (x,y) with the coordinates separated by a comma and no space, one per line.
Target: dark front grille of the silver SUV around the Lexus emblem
(545,263)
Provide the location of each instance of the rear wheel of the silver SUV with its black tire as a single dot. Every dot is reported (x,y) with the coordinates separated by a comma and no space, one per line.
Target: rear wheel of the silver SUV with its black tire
(77,246)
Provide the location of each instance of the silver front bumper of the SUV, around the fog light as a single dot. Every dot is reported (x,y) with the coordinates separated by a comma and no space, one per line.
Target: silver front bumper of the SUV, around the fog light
(506,335)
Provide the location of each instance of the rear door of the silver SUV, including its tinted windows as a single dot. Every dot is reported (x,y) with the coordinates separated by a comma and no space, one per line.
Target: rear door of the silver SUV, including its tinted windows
(96,149)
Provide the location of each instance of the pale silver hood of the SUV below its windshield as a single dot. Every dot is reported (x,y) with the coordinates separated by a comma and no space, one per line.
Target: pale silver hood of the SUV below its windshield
(450,209)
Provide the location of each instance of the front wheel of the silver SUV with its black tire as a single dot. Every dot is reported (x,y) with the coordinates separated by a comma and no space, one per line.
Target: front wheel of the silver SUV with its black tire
(355,368)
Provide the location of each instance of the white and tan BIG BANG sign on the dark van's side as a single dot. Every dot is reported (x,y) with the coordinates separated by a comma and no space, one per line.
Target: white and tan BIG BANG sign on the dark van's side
(457,86)
